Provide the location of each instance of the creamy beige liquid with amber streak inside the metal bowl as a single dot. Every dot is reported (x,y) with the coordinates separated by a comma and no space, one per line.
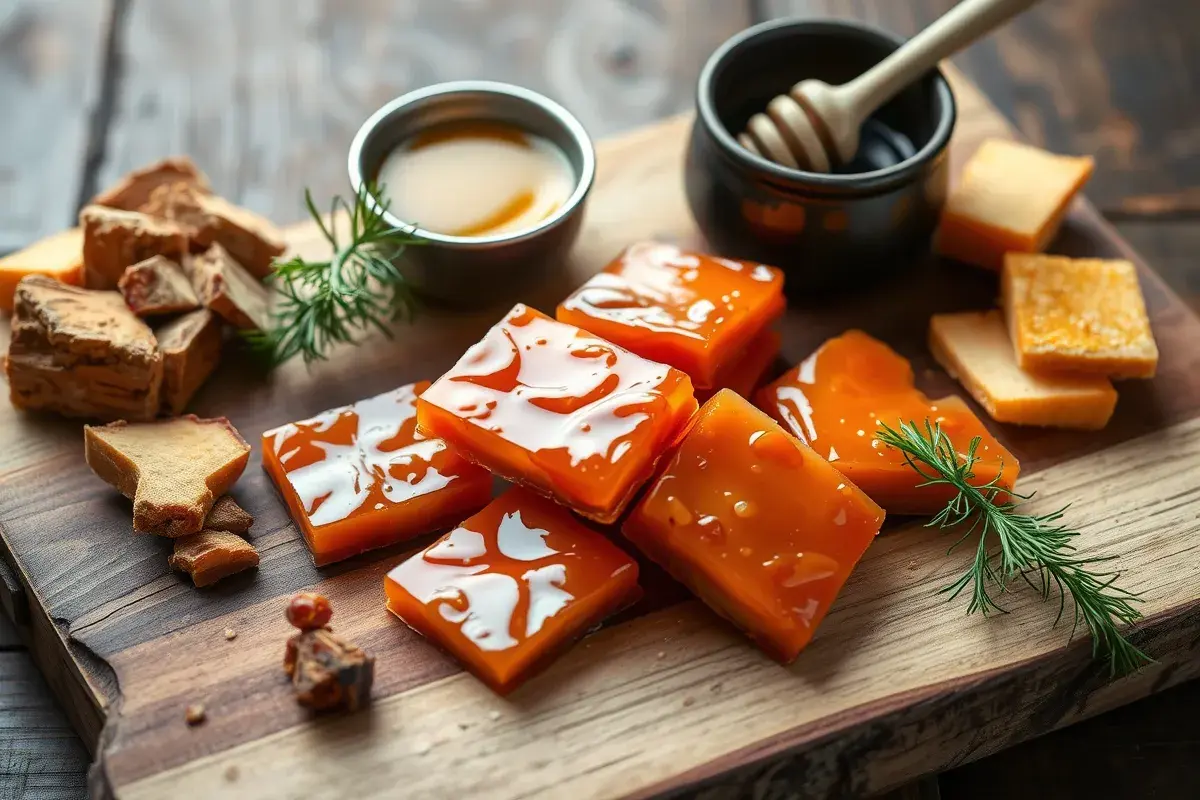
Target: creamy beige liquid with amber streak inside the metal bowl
(477,179)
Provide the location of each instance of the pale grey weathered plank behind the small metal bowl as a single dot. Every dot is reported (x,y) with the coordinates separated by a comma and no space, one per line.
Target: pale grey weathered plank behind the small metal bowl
(267,95)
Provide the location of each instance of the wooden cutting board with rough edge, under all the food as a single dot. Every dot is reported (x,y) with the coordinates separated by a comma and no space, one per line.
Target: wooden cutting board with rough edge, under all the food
(668,700)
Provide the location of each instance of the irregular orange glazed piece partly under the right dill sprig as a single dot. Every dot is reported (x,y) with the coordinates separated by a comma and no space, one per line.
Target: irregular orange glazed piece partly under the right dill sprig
(835,400)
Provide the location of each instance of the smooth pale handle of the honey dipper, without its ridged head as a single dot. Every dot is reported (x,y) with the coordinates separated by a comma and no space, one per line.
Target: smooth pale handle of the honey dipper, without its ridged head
(951,33)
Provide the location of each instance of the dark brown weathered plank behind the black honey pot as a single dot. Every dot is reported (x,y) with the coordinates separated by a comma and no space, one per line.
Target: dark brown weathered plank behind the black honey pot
(1109,79)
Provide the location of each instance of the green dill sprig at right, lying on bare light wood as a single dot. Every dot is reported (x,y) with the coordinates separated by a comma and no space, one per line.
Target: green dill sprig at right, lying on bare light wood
(1036,549)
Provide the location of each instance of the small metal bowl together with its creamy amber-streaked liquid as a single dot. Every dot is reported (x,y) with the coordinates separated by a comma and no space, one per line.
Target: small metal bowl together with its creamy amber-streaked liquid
(494,179)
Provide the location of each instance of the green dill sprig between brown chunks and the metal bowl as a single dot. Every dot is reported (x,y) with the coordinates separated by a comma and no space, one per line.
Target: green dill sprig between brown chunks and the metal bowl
(322,304)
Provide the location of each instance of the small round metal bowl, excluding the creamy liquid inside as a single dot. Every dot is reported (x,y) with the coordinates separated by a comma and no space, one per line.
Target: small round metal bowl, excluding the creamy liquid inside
(477,272)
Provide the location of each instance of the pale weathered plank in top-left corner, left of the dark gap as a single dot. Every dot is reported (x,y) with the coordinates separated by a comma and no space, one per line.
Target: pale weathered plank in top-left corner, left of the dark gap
(51,55)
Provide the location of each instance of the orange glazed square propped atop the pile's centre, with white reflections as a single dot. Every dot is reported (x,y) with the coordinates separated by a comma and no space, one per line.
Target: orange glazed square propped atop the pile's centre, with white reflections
(560,411)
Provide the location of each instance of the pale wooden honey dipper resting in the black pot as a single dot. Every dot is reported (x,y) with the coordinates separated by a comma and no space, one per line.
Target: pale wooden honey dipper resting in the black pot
(815,127)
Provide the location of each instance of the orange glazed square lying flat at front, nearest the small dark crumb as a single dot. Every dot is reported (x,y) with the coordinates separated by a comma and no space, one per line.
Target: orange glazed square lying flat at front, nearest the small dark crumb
(512,587)
